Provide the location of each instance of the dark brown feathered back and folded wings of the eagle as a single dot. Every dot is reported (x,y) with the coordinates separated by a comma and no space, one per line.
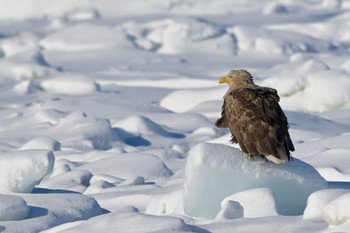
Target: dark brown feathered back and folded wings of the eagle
(257,120)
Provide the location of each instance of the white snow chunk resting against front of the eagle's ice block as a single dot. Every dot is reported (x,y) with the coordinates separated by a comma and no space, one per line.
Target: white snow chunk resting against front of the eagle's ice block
(256,202)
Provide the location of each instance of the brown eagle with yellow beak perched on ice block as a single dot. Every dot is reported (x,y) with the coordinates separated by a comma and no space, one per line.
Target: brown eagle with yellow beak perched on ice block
(255,118)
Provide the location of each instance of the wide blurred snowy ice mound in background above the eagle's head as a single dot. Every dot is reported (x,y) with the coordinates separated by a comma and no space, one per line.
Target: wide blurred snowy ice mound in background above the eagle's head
(188,36)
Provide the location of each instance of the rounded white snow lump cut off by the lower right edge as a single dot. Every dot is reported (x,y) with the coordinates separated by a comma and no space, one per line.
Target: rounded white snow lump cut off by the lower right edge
(337,212)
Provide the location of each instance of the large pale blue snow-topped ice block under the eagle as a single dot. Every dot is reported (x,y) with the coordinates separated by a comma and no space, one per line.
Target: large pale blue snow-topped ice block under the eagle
(228,171)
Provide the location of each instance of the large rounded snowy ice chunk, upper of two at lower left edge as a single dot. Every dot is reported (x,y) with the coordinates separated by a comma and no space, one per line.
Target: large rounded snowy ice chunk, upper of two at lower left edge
(20,171)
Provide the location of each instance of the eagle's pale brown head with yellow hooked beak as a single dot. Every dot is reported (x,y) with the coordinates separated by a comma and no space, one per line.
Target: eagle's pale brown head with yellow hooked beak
(237,79)
